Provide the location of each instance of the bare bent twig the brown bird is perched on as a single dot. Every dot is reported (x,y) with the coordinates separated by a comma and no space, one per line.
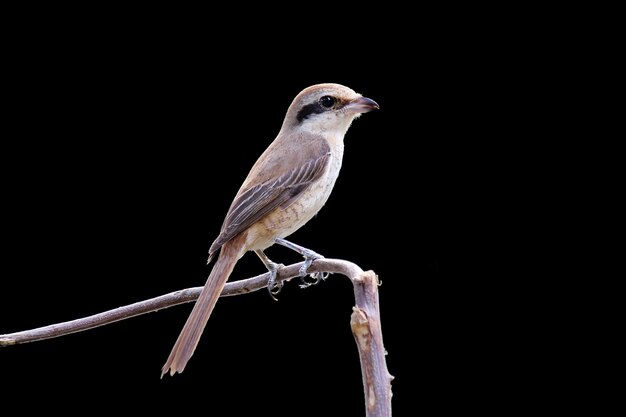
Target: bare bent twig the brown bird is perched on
(365,322)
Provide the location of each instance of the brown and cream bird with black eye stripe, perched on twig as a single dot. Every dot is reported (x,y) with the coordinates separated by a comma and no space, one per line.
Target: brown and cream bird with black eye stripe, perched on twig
(286,187)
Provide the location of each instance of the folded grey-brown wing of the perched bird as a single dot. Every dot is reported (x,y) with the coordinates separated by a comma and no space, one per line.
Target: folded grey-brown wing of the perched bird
(253,203)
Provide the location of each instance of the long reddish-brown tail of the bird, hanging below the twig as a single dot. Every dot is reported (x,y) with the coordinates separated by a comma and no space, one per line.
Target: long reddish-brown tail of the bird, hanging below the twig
(190,335)
